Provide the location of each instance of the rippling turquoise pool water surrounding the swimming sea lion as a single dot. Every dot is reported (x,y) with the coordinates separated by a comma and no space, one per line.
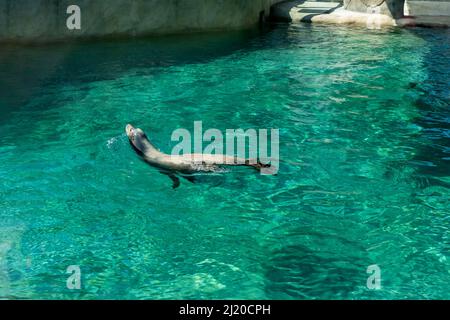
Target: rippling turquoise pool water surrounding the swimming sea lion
(364,138)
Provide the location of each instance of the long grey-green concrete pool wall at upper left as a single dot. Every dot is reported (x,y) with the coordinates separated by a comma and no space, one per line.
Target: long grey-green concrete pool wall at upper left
(45,20)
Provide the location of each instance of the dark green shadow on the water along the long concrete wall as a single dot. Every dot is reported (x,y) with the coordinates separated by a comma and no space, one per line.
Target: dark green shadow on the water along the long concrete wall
(26,72)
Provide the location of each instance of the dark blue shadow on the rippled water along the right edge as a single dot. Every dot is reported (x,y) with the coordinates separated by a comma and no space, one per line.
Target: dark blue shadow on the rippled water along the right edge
(433,158)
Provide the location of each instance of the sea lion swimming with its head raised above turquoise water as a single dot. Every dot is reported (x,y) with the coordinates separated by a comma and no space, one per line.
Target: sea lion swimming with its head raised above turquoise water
(182,165)
